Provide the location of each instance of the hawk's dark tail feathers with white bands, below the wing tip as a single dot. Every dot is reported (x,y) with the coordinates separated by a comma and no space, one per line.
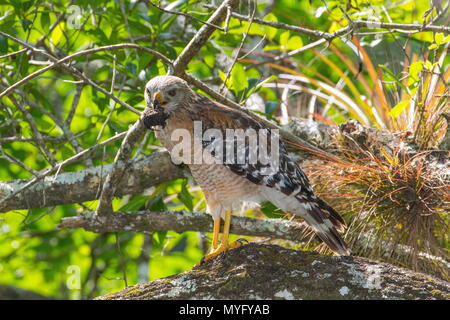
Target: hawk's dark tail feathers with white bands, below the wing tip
(326,223)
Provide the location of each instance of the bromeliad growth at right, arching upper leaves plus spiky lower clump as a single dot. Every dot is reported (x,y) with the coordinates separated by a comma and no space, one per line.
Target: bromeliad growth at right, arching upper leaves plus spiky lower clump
(398,186)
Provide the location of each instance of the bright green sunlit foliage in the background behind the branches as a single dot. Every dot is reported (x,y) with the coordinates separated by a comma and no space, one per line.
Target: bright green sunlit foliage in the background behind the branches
(34,253)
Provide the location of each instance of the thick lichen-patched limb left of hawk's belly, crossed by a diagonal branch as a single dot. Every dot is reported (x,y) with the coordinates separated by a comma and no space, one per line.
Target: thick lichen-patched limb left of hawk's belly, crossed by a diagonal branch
(84,185)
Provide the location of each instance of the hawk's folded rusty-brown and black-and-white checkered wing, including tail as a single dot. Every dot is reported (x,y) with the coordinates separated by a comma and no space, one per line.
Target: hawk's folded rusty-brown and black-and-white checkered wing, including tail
(287,177)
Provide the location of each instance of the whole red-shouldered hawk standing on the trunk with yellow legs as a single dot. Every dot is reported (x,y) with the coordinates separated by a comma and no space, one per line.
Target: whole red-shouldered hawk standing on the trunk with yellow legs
(229,166)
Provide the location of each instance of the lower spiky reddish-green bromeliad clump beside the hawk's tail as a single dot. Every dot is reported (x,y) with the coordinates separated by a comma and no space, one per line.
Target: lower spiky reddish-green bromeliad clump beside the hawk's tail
(398,194)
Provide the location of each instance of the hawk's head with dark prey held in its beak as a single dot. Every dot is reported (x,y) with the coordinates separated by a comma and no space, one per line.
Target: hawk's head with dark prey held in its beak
(164,94)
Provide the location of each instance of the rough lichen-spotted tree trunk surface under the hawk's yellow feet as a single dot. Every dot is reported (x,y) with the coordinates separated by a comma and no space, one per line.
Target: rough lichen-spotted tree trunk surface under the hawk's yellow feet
(259,271)
